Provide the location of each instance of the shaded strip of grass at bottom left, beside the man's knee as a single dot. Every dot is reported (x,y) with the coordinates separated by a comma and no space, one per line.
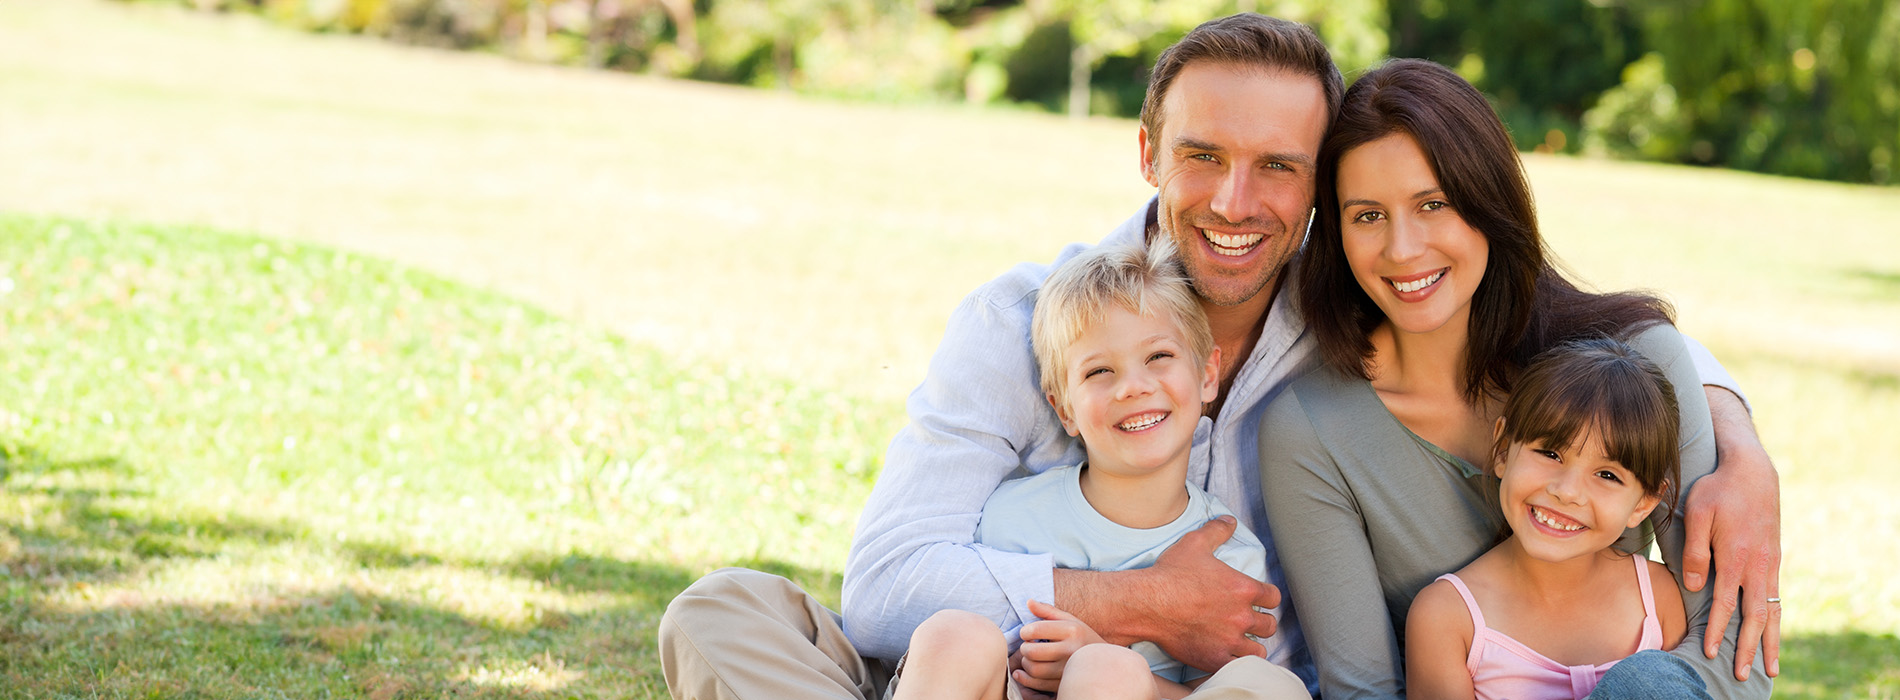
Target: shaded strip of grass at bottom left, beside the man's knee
(81,617)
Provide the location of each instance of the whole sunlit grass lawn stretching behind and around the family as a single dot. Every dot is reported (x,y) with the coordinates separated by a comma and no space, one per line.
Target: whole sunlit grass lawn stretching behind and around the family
(265,467)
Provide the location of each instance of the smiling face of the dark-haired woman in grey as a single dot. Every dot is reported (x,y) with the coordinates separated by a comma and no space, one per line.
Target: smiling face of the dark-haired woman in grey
(1409,250)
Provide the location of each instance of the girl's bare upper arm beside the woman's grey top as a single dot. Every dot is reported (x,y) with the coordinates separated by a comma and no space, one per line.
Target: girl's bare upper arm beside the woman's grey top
(1437,644)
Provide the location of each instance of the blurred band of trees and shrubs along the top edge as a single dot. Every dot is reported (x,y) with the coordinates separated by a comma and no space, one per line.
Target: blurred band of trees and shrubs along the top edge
(1787,87)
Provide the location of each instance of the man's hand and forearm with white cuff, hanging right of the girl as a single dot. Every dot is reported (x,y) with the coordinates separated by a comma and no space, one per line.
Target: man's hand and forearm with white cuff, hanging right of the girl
(1734,516)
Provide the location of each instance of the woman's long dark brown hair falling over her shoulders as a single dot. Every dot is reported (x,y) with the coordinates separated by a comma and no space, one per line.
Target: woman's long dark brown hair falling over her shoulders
(1523,303)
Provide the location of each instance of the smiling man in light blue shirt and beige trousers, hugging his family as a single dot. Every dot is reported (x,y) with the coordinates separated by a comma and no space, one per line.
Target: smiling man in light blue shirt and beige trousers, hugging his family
(1230,138)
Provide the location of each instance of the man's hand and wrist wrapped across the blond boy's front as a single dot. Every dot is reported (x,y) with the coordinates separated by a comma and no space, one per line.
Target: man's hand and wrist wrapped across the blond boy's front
(1190,604)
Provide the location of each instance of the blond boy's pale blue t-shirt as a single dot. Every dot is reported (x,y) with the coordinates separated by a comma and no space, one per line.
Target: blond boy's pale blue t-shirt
(1048,515)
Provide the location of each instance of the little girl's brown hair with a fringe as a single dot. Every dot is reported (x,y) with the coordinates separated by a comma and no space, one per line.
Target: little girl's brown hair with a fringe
(1603,387)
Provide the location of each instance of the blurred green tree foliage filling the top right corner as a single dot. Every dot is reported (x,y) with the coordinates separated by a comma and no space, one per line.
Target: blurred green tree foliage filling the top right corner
(1795,88)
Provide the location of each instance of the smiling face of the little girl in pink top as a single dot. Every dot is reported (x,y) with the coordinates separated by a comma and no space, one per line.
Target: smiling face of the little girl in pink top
(1568,501)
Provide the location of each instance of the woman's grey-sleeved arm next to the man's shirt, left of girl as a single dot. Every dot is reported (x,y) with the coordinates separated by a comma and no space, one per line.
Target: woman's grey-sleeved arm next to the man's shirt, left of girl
(1321,539)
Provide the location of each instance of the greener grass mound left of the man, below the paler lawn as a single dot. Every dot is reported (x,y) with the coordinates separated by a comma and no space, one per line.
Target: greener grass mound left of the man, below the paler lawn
(240,467)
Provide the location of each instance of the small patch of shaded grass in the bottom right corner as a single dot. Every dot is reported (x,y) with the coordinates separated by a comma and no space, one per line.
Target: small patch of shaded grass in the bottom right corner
(1846,665)
